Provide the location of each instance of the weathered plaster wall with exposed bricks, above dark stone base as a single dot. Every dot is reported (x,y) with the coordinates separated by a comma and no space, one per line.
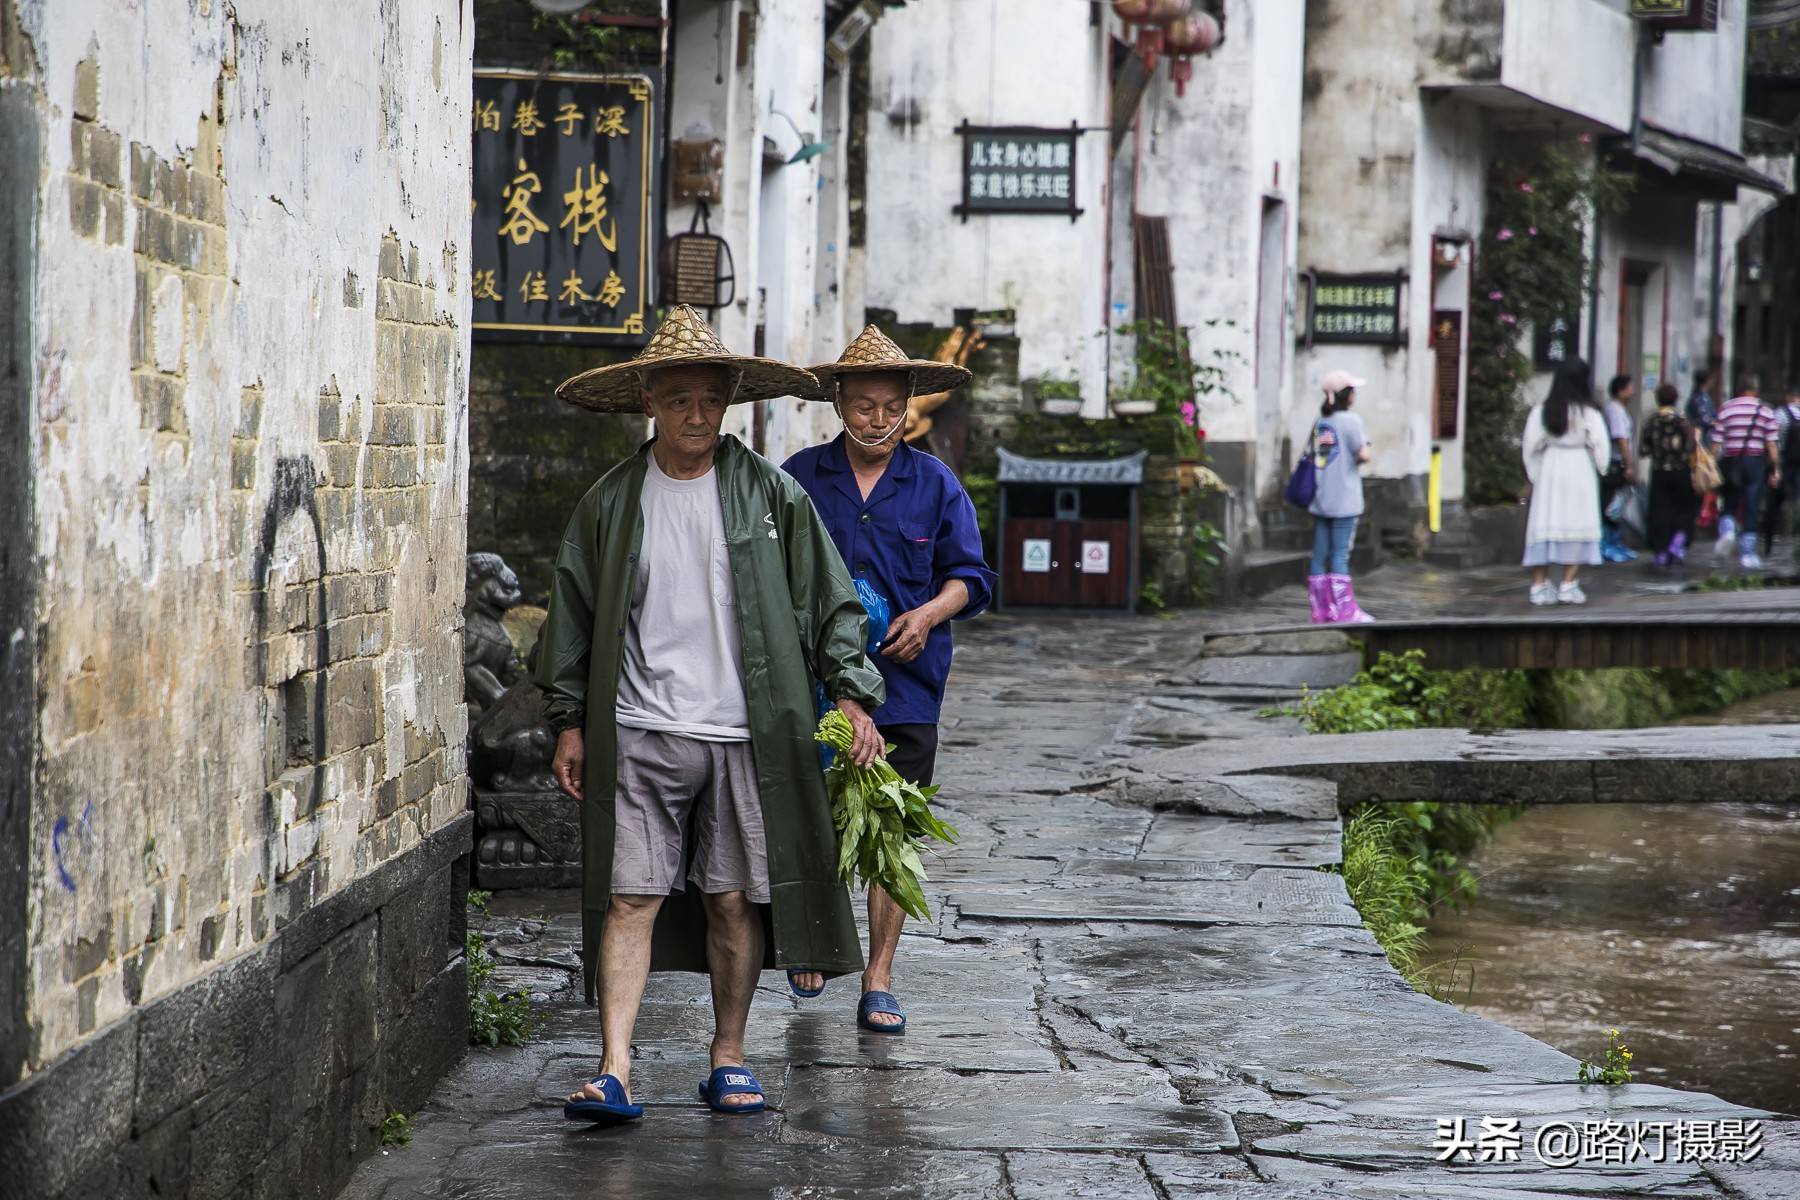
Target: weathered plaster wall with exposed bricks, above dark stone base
(249,309)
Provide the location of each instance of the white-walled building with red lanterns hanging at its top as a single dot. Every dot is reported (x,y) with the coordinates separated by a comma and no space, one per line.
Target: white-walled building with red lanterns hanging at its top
(1196,190)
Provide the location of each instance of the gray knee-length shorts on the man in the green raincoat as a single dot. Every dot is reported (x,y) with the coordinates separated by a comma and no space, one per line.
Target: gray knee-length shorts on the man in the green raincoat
(683,800)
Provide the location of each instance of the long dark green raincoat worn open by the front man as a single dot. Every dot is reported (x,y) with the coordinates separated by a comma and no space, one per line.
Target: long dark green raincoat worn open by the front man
(798,620)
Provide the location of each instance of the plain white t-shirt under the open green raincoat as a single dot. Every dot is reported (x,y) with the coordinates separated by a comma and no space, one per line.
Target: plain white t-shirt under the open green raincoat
(681,643)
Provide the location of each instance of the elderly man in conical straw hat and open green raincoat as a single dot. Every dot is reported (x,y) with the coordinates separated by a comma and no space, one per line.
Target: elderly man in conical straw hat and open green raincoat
(697,598)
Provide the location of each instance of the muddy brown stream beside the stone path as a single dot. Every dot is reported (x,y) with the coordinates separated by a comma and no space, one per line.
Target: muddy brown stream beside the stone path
(1678,924)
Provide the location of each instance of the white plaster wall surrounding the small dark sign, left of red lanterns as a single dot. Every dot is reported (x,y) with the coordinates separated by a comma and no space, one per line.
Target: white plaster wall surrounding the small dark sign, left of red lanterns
(989,62)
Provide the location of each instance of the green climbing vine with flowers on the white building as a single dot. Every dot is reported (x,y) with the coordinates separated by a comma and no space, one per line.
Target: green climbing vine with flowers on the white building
(1533,269)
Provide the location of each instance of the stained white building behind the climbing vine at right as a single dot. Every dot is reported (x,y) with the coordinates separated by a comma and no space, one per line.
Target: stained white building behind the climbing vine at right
(1407,107)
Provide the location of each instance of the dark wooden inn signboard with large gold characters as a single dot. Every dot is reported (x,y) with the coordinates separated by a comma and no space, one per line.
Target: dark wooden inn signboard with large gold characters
(564,199)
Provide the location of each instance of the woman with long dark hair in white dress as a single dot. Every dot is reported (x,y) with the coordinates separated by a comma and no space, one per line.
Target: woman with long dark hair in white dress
(1567,451)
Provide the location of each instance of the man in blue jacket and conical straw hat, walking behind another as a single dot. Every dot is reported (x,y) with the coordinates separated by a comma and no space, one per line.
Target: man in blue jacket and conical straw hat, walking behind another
(904,524)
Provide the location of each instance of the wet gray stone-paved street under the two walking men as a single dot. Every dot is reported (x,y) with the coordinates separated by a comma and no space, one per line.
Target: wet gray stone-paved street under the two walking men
(1128,992)
